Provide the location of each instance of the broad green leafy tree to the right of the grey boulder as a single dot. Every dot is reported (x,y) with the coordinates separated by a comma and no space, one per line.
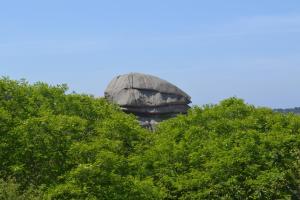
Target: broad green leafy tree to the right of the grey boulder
(227,151)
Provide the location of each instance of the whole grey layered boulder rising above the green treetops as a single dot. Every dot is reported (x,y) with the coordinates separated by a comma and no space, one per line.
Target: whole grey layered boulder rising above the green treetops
(150,98)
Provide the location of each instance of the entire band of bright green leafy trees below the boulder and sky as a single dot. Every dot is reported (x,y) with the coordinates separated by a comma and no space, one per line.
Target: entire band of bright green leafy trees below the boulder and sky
(55,145)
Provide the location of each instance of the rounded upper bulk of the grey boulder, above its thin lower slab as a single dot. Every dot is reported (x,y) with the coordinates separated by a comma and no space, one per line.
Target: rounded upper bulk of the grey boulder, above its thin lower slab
(137,90)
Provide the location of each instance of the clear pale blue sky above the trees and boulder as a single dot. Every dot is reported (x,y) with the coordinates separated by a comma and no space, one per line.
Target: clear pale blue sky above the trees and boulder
(212,49)
